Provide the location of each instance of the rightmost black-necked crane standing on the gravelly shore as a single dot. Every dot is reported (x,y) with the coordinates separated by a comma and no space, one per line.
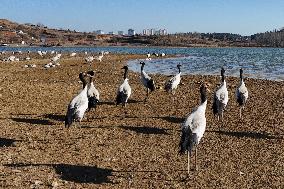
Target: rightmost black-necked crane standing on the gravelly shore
(241,93)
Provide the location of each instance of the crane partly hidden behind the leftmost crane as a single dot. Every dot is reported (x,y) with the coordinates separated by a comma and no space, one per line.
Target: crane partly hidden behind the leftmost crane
(92,93)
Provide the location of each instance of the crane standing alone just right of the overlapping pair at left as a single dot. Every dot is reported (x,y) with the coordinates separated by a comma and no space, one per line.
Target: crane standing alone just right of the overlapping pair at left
(124,90)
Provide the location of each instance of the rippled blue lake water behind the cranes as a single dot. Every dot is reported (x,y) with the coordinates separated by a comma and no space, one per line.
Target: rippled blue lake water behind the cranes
(264,63)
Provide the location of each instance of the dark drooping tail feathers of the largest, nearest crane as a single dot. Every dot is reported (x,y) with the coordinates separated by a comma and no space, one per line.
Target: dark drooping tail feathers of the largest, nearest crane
(188,141)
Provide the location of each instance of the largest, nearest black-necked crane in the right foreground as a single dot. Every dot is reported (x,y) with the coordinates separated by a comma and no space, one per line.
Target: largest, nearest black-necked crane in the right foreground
(193,128)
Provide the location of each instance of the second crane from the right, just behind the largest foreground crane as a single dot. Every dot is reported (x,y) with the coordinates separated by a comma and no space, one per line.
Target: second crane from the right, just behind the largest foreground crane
(221,98)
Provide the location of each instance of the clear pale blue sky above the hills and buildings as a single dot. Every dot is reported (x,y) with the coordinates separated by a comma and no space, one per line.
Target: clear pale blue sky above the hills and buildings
(245,17)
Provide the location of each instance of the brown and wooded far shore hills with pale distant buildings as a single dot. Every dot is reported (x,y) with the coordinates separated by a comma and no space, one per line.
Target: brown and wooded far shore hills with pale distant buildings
(15,34)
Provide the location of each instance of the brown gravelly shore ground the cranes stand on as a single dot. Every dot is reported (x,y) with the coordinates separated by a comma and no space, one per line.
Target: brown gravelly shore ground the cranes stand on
(138,149)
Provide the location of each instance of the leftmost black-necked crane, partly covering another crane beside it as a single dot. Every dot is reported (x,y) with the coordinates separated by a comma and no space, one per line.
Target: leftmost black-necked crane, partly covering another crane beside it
(78,105)
